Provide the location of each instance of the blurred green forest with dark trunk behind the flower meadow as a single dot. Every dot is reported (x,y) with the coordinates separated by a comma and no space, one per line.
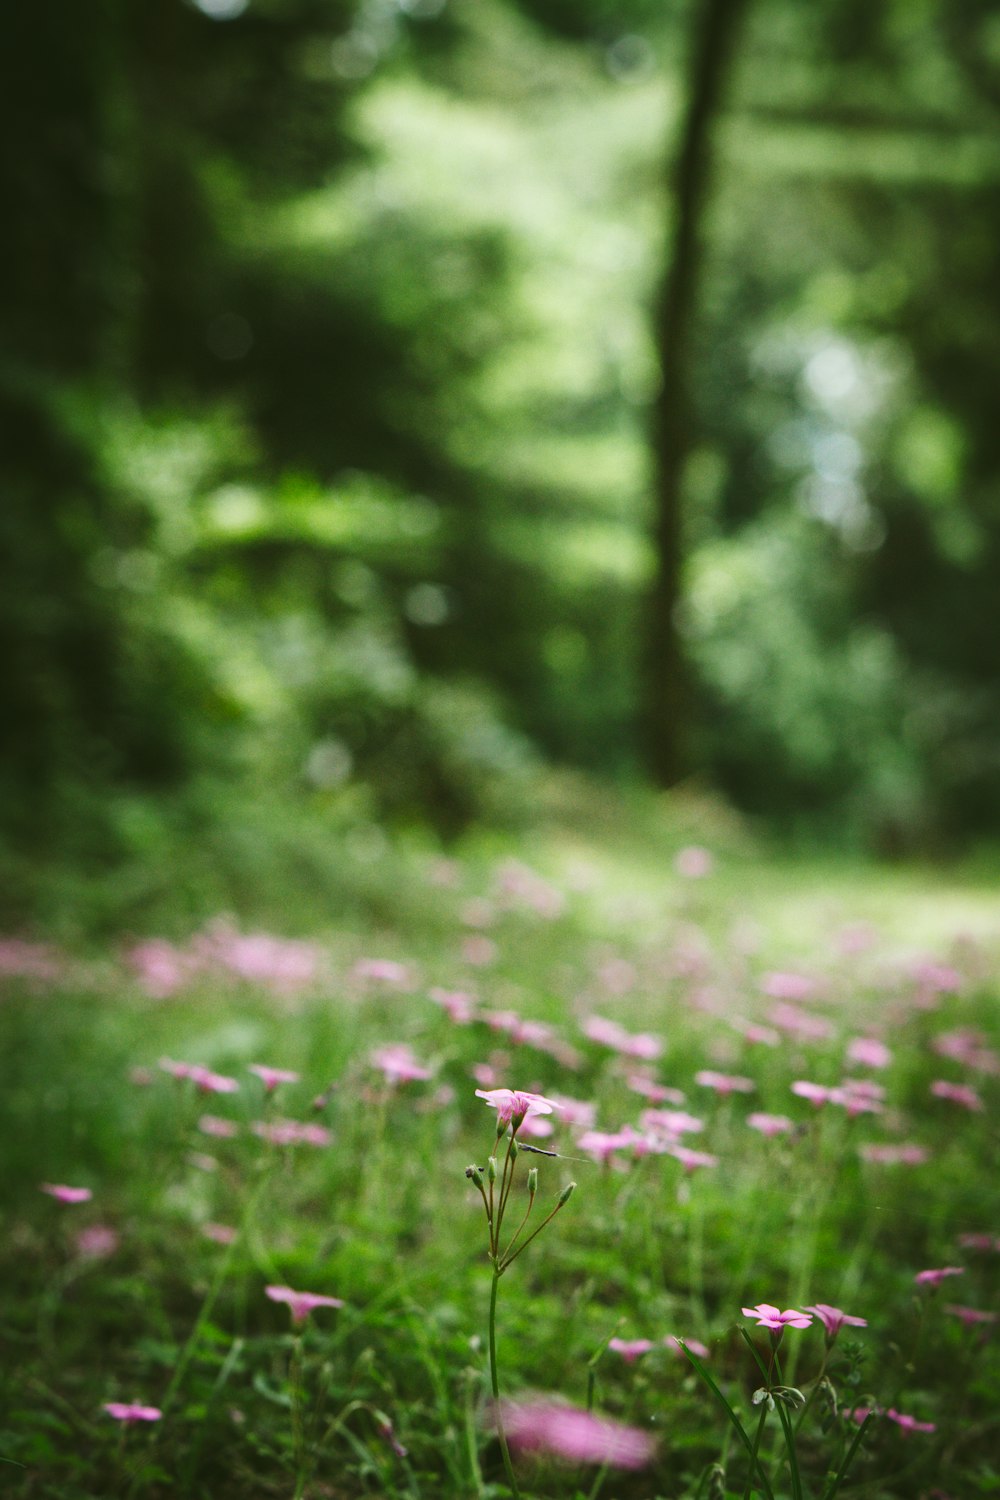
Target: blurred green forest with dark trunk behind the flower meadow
(407,397)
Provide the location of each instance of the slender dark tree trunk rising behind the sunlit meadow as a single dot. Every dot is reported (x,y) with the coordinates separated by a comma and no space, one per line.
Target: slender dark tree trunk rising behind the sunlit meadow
(674,419)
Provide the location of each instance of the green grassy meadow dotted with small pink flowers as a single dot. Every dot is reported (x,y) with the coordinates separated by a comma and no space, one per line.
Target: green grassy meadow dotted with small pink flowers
(253,1222)
